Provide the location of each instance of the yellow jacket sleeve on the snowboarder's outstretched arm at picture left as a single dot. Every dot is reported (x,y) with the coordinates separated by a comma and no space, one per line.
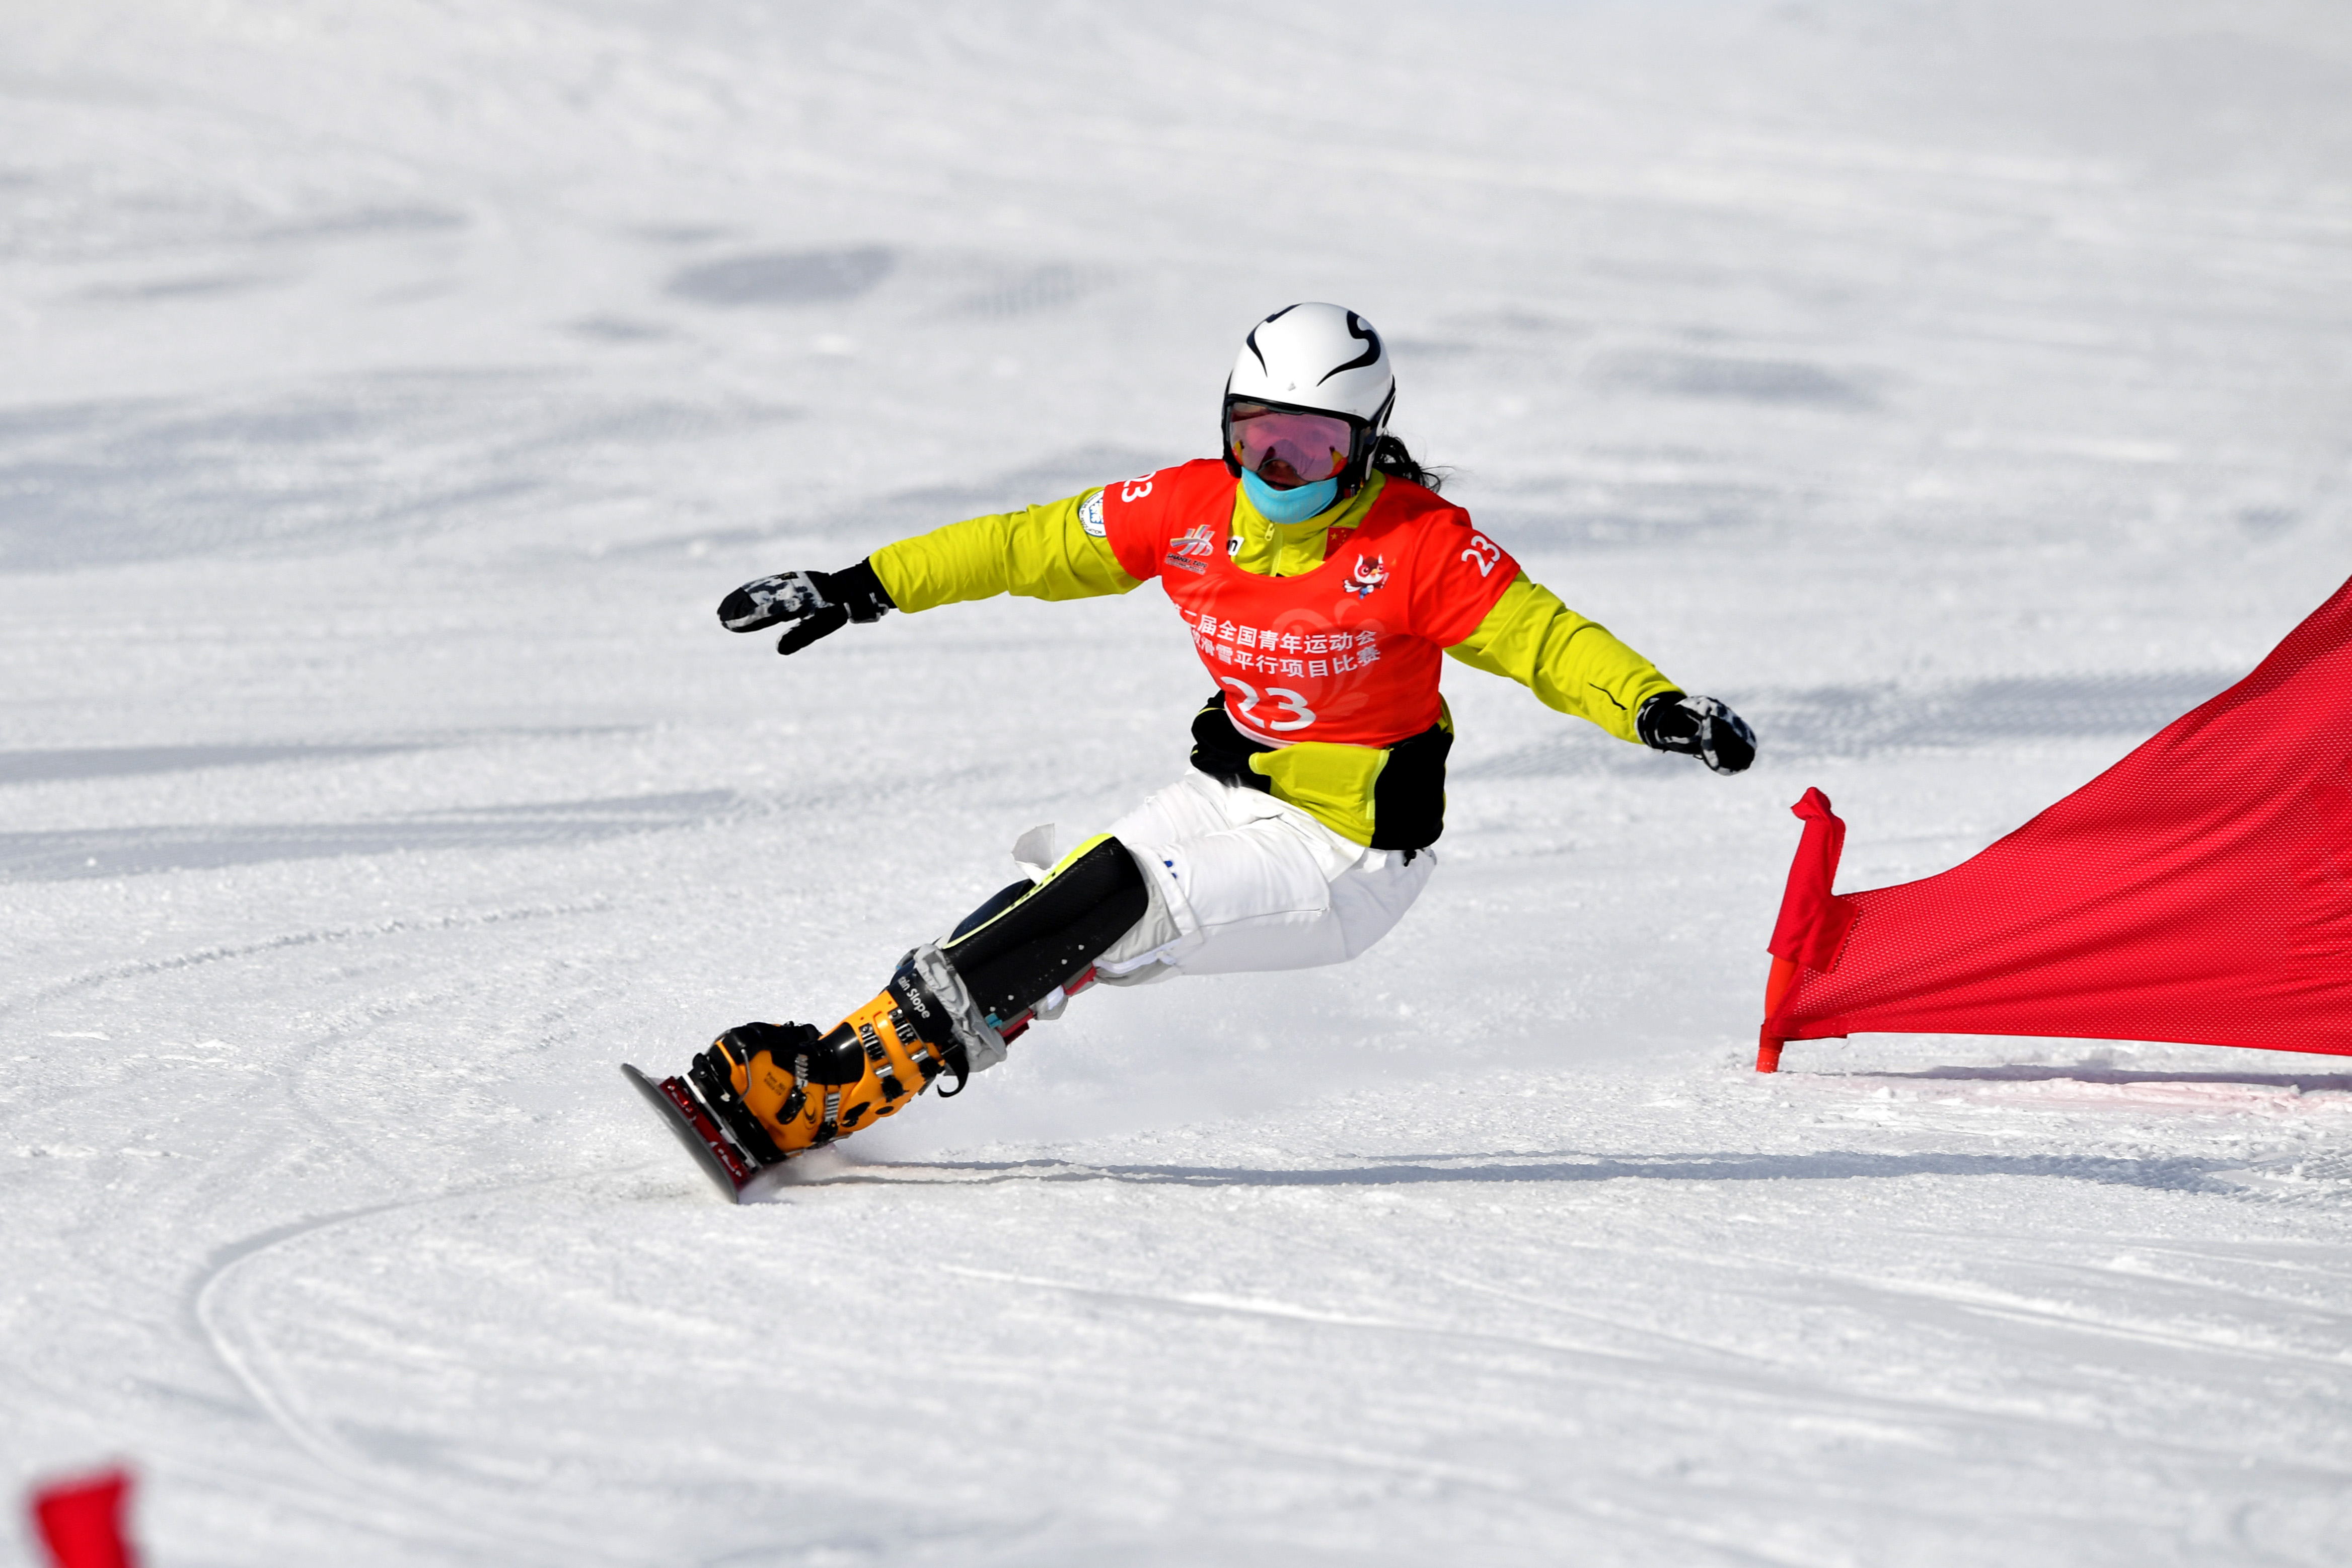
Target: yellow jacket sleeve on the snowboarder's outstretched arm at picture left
(1041,554)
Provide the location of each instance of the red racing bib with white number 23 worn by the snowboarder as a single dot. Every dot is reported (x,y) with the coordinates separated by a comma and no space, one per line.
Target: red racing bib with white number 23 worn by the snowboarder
(1344,655)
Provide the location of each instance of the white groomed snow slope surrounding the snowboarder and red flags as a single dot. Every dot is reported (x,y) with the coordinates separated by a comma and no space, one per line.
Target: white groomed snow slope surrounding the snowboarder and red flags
(389,391)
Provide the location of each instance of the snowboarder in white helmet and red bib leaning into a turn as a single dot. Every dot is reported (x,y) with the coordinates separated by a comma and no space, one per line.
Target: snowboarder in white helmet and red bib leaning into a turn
(1321,577)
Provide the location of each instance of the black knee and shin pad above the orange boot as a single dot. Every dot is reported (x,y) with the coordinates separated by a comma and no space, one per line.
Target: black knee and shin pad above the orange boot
(1048,937)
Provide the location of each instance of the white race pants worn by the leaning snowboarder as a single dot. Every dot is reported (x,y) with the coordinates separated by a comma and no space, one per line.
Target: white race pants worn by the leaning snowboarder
(1241,880)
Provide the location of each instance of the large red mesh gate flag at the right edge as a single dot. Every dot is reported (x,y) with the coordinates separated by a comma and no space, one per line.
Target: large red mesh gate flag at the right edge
(2200,890)
